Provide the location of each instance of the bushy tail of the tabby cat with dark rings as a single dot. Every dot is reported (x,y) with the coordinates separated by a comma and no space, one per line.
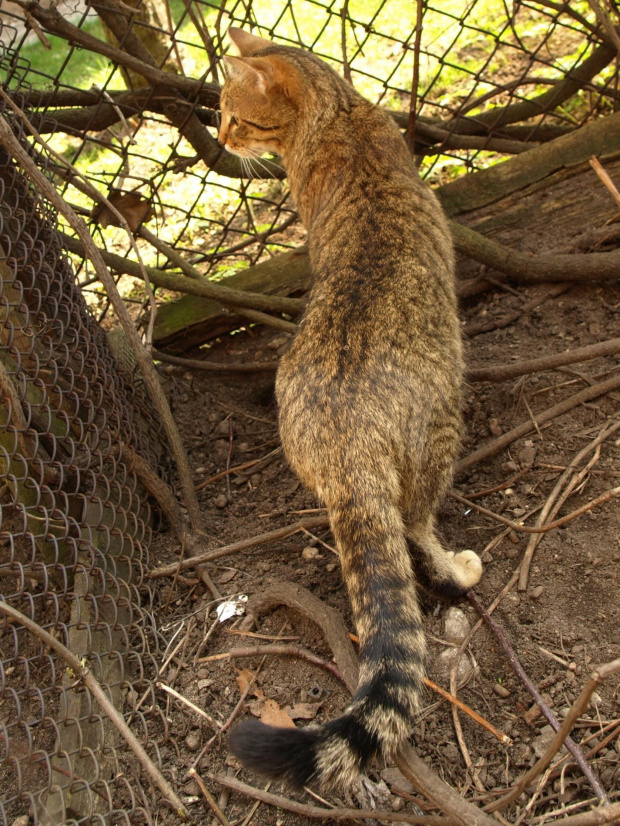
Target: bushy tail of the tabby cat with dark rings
(376,565)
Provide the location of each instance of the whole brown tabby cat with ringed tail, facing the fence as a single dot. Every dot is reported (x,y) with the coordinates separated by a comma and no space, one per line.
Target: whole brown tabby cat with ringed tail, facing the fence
(369,393)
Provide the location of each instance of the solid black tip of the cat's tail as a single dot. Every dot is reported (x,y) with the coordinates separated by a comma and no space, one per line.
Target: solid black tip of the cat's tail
(287,754)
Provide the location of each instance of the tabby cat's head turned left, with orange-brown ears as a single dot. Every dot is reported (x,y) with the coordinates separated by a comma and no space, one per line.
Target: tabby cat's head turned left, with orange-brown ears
(261,97)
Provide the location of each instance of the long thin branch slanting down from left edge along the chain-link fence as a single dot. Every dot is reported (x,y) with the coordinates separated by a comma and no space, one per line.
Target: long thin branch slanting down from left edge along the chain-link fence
(8,139)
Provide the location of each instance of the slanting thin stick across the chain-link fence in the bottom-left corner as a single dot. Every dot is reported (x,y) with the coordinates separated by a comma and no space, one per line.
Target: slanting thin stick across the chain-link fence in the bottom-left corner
(84,675)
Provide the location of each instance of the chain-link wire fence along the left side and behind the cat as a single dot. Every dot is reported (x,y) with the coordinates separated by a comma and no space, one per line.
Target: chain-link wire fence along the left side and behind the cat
(130,101)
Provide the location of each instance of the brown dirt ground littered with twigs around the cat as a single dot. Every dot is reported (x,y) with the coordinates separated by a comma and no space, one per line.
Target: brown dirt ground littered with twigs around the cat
(565,623)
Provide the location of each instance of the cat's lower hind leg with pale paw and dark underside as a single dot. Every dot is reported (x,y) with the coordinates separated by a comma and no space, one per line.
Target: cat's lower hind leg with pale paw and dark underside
(442,572)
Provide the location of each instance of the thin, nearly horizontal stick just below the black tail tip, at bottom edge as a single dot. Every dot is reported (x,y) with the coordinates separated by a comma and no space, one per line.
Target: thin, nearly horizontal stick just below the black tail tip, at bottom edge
(337,813)
